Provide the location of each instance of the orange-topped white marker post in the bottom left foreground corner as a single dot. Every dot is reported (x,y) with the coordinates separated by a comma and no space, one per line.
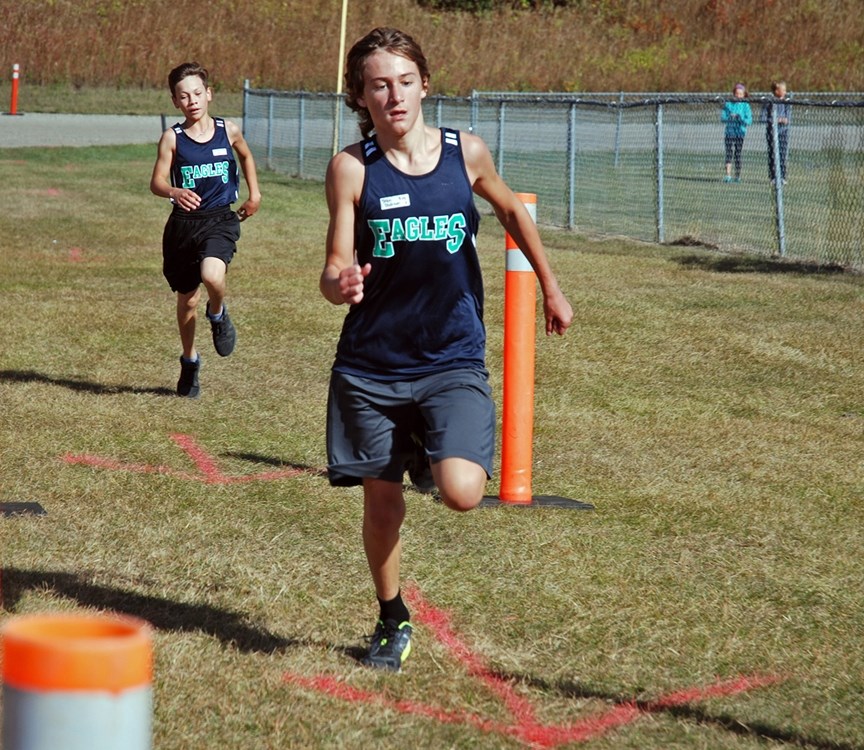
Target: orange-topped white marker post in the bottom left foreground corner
(77,682)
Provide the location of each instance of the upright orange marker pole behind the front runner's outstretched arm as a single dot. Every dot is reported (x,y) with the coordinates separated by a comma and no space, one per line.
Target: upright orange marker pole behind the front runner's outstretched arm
(517,425)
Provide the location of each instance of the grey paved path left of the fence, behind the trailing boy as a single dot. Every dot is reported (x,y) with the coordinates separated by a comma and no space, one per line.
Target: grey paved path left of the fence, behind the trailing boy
(37,129)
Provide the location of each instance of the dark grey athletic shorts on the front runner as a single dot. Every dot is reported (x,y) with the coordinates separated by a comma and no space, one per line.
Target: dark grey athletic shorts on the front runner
(370,423)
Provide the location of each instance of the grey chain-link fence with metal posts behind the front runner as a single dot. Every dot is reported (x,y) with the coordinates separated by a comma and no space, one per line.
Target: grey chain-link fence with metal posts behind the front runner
(637,165)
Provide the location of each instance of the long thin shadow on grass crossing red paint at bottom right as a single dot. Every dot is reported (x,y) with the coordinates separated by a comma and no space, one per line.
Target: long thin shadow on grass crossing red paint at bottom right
(693,713)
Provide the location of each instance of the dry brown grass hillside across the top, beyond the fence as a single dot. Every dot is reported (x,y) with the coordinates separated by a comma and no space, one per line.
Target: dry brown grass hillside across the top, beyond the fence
(681,45)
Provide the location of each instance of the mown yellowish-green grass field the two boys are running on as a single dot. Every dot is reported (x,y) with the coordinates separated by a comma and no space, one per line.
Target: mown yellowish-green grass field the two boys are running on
(709,406)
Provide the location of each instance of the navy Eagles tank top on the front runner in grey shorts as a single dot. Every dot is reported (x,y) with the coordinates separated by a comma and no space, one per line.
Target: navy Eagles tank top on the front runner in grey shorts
(422,309)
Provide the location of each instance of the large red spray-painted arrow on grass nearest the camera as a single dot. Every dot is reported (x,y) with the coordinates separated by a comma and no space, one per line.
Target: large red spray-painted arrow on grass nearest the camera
(525,727)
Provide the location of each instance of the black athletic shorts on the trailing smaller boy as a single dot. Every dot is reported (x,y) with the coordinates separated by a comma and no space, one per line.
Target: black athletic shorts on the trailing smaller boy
(191,236)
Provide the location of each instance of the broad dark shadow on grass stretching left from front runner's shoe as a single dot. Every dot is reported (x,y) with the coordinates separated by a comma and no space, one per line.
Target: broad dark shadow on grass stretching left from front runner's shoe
(229,627)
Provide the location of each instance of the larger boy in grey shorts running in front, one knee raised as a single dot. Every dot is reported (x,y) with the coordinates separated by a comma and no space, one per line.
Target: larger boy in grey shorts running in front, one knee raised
(410,363)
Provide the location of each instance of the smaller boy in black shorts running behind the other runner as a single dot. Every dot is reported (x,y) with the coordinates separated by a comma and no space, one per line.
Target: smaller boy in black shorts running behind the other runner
(197,171)
